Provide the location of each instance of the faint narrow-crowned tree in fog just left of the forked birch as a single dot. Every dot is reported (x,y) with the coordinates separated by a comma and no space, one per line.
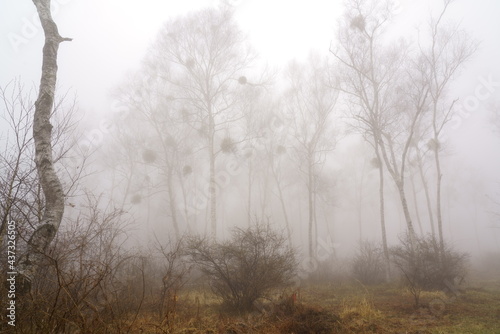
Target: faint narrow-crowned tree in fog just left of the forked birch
(310,108)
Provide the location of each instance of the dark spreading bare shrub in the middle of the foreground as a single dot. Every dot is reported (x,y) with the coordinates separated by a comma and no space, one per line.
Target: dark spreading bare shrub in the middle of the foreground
(247,267)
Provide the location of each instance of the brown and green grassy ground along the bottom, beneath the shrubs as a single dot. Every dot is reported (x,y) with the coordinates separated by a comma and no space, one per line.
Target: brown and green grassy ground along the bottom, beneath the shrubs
(340,308)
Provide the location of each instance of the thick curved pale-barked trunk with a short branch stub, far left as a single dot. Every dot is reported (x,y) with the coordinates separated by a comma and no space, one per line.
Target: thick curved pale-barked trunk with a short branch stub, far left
(42,132)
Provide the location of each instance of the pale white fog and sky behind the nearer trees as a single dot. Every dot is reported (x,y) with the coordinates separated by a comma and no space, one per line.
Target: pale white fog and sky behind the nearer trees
(141,154)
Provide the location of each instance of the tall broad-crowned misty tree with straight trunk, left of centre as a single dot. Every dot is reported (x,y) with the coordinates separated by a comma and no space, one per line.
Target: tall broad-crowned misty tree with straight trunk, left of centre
(204,56)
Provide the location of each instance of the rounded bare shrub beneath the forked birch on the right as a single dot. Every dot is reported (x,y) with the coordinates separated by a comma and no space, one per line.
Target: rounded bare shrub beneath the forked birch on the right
(425,266)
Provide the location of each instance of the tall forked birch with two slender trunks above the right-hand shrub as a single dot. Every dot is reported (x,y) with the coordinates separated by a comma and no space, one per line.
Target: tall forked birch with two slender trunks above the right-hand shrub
(385,87)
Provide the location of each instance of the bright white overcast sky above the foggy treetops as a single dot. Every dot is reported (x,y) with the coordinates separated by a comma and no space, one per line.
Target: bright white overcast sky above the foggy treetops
(111,37)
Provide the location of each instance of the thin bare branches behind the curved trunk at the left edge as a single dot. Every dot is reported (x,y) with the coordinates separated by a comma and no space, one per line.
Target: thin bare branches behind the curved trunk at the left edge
(21,198)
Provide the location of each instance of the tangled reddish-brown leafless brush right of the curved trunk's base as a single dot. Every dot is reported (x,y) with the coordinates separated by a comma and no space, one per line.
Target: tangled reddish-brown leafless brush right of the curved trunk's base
(73,291)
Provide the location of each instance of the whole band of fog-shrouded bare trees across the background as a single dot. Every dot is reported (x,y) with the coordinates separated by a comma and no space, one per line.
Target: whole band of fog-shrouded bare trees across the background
(359,142)
